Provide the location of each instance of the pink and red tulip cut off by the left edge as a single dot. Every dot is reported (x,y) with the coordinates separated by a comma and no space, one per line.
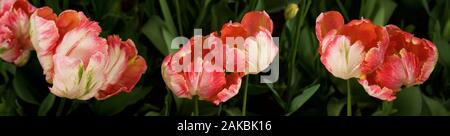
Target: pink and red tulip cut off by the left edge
(15,45)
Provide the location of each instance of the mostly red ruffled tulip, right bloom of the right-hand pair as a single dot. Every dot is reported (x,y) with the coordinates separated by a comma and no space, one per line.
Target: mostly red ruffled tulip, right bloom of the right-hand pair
(408,61)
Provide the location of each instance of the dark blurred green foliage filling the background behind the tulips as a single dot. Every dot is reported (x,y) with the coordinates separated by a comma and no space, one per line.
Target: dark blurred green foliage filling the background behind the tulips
(305,87)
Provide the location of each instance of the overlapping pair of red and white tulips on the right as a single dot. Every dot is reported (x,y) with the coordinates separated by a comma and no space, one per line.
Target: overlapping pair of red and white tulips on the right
(382,58)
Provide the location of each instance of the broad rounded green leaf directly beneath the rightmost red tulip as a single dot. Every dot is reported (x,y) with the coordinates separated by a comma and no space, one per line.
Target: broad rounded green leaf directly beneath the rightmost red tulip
(408,102)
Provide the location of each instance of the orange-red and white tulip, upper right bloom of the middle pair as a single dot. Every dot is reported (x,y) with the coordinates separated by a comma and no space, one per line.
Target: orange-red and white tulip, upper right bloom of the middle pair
(256,48)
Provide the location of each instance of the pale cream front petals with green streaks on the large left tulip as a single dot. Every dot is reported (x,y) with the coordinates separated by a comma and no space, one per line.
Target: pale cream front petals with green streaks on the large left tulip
(73,81)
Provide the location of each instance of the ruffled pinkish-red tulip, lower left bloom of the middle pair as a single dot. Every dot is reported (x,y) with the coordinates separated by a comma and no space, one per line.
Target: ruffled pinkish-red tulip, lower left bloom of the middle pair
(198,76)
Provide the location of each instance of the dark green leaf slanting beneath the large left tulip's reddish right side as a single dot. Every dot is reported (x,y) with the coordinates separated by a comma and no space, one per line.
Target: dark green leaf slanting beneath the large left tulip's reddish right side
(118,103)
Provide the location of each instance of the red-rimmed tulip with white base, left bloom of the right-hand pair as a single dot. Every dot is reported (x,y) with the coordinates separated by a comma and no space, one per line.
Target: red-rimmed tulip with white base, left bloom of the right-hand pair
(350,50)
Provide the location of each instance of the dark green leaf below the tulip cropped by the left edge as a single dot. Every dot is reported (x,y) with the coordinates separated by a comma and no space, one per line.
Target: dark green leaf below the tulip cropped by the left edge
(23,89)
